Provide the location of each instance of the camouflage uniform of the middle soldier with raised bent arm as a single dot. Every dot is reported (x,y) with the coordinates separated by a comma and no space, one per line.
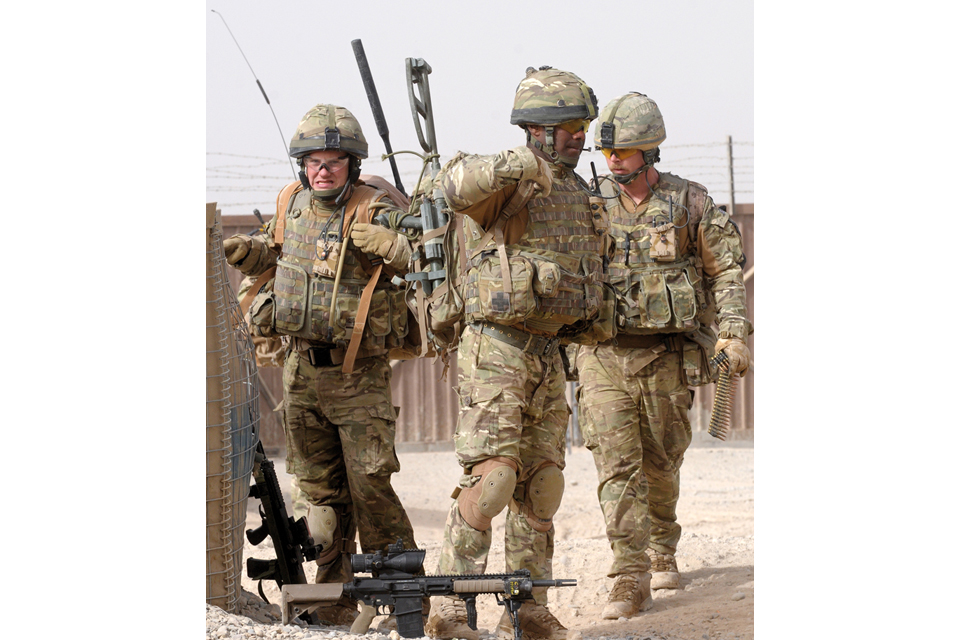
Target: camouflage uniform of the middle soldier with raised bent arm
(512,397)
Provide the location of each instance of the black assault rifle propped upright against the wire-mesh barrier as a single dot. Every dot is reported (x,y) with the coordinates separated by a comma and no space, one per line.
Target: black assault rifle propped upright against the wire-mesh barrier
(291,539)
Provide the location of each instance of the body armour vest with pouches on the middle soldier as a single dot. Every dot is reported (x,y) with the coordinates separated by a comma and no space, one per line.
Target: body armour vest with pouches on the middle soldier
(555,270)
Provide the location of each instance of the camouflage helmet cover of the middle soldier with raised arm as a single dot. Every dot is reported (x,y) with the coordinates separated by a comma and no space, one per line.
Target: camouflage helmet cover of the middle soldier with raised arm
(549,96)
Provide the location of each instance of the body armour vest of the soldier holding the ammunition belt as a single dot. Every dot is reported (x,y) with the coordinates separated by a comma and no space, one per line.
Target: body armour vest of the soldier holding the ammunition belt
(656,271)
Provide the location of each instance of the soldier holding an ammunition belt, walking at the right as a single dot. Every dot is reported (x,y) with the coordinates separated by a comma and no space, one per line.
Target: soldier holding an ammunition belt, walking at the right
(676,268)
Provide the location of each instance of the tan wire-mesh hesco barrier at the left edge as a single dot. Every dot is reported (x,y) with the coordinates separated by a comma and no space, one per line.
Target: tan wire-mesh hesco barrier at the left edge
(233,421)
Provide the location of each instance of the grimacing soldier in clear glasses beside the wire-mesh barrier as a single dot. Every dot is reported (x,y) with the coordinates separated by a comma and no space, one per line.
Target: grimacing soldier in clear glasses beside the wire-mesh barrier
(333,299)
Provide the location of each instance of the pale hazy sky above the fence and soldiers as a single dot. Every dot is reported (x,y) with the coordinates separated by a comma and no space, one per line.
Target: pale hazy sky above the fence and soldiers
(695,59)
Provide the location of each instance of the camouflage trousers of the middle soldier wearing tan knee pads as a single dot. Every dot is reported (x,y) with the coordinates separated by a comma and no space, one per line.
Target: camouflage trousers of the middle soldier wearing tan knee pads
(512,405)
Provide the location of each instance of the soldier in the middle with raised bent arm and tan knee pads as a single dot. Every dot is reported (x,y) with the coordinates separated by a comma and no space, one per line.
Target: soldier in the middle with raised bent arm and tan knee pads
(525,213)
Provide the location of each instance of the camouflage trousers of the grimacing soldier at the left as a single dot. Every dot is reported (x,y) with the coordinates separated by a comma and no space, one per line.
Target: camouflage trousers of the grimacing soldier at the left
(340,431)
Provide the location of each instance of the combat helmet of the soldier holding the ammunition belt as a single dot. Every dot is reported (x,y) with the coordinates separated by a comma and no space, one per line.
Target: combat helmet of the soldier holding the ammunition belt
(631,121)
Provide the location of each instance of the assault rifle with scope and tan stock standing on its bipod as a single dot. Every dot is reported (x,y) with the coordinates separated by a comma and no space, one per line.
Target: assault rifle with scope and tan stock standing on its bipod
(395,589)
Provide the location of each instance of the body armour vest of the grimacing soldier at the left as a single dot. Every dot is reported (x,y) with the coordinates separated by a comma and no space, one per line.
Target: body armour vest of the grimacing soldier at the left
(307,273)
